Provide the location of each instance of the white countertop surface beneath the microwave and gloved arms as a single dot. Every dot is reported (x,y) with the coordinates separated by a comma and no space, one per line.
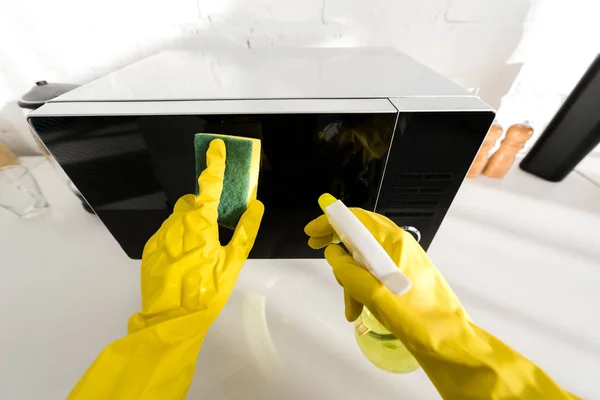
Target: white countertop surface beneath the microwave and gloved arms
(522,254)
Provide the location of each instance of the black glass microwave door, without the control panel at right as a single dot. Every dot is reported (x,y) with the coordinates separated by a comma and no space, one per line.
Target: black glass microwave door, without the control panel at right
(132,169)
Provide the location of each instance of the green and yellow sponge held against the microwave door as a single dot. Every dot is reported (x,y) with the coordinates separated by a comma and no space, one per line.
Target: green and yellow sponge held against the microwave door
(241,173)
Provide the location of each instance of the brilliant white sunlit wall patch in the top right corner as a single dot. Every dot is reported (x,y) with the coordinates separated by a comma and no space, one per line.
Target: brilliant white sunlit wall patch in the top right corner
(559,43)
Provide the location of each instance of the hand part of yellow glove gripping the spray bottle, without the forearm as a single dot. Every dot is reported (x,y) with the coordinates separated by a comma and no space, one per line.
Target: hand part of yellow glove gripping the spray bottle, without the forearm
(429,294)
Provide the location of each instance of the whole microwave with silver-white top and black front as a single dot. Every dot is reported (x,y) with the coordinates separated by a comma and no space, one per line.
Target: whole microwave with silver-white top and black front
(373,127)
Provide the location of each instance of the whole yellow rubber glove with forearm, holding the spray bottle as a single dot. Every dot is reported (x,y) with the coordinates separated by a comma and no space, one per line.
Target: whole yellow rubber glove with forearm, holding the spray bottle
(461,359)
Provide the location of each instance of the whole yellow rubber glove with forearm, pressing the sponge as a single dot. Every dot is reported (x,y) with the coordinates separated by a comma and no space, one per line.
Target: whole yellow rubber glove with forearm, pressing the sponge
(187,276)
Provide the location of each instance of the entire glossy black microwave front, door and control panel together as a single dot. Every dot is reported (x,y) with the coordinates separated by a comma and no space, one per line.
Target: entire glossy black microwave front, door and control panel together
(132,169)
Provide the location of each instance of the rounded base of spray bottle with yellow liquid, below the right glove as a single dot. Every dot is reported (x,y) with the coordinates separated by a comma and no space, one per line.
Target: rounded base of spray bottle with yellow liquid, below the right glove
(382,348)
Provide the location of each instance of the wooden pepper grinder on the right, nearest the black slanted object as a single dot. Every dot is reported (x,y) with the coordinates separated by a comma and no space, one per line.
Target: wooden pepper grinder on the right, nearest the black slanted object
(501,161)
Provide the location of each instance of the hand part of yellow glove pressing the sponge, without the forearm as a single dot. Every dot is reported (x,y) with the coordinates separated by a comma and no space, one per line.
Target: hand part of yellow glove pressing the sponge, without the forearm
(184,267)
